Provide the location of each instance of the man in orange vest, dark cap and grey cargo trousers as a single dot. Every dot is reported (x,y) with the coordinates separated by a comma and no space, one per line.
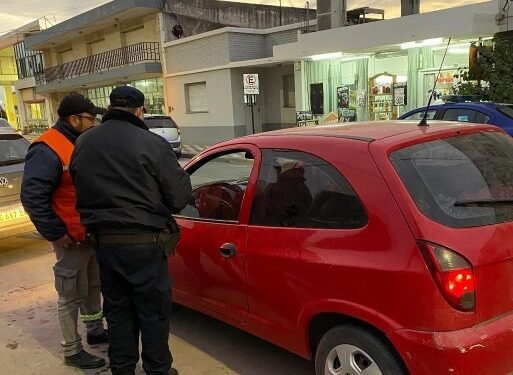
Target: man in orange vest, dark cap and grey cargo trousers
(48,196)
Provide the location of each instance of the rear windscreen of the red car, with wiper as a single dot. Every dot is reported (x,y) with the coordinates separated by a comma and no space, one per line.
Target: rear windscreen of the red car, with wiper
(462,181)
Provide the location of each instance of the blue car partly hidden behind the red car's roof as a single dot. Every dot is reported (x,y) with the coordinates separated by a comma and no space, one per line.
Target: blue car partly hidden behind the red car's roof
(500,115)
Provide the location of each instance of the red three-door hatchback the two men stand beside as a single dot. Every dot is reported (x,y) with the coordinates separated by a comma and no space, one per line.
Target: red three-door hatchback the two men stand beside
(379,248)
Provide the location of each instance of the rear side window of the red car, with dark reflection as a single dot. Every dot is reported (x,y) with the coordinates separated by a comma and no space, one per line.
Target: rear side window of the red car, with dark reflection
(296,189)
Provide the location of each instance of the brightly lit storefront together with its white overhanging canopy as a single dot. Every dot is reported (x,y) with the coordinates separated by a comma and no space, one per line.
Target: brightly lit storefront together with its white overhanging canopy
(380,70)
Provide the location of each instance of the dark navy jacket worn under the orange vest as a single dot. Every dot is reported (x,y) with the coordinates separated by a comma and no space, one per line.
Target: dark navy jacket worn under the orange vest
(42,175)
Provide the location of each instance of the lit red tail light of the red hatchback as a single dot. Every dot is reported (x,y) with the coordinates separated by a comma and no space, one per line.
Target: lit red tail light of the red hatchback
(453,274)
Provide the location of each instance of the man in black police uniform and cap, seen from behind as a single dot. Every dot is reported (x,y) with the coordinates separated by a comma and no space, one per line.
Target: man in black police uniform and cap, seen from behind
(129,184)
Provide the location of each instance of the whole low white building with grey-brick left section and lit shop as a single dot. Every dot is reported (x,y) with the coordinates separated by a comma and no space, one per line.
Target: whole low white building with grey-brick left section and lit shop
(365,64)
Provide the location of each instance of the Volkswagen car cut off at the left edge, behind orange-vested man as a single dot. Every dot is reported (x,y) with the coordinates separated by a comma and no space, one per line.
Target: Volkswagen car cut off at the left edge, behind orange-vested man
(13,219)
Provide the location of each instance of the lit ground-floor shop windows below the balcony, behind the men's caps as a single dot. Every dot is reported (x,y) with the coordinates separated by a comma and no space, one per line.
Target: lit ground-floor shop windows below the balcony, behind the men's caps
(152,89)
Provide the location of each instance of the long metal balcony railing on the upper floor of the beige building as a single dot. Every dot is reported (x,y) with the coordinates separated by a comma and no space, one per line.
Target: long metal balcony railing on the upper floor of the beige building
(116,58)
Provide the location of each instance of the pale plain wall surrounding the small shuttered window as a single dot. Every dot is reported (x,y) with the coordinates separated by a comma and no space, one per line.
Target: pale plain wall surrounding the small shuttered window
(203,128)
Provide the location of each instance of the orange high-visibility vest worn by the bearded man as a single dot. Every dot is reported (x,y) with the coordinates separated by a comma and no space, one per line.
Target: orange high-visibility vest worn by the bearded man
(64,197)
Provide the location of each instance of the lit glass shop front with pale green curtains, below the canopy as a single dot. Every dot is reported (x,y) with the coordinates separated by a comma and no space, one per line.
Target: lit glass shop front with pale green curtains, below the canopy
(381,85)
